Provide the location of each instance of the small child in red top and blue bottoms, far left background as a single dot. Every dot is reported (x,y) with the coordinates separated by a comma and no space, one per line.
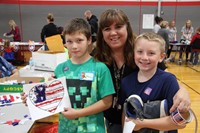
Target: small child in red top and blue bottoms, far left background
(8,52)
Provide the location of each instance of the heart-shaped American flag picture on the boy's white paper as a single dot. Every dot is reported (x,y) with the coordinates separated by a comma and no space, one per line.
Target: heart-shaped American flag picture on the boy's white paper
(47,97)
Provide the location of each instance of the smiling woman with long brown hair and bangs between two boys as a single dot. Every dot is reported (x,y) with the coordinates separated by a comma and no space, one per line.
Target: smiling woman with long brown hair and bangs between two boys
(114,47)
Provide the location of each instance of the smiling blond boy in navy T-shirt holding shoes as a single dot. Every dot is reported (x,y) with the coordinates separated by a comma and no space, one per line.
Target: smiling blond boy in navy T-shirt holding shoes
(150,82)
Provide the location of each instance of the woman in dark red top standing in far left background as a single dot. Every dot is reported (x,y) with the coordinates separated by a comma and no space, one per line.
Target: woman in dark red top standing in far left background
(14,32)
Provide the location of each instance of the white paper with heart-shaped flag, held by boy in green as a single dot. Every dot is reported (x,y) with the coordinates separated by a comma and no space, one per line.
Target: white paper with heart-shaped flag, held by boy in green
(47,98)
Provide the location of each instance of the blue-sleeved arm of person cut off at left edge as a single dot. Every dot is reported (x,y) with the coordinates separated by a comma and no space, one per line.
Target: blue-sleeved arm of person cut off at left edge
(7,69)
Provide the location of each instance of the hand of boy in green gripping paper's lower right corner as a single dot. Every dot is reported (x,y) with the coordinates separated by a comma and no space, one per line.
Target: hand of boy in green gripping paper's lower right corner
(70,113)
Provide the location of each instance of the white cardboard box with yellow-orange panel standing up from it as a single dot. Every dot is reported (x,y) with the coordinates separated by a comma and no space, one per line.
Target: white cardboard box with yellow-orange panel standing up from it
(48,60)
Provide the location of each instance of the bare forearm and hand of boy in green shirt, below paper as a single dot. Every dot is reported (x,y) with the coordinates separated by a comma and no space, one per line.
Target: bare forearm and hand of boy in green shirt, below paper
(95,108)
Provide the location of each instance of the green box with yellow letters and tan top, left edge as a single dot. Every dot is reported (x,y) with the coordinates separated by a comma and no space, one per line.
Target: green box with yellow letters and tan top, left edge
(18,87)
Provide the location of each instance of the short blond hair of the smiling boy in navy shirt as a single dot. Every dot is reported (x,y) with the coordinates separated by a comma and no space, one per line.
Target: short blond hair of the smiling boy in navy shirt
(151,36)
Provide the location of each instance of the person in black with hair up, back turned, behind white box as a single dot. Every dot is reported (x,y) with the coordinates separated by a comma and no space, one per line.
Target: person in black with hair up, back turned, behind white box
(49,29)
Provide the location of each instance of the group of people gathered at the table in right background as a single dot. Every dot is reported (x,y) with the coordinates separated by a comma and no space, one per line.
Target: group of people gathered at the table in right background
(169,32)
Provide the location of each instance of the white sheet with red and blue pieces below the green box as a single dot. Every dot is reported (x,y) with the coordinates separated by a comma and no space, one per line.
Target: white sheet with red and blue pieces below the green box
(11,98)
